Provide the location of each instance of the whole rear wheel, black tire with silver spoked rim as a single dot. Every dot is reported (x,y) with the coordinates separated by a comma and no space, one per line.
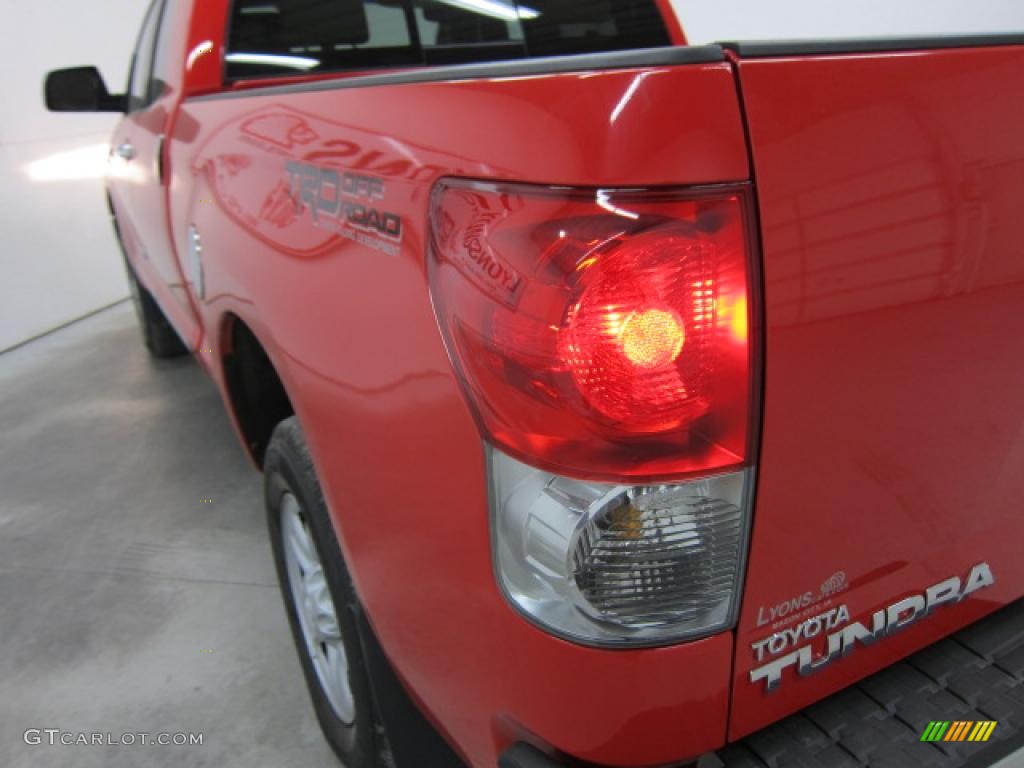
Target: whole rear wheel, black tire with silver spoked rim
(321,602)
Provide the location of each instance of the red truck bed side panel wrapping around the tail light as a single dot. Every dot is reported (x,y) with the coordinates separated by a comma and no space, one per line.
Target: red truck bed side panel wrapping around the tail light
(347,318)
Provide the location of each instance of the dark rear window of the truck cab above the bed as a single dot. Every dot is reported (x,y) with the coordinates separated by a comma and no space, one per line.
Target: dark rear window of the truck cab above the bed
(291,37)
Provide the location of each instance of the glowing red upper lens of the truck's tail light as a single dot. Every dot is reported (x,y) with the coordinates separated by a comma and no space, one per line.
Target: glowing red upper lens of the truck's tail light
(600,334)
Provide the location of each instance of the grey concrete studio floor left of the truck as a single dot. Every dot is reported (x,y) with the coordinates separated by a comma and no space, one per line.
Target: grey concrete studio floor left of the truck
(129,604)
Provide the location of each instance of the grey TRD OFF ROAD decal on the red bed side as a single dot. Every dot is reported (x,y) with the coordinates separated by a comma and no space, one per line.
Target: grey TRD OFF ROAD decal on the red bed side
(347,203)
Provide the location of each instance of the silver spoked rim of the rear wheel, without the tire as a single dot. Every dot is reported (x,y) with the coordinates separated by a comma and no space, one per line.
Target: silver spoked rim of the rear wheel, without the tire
(316,610)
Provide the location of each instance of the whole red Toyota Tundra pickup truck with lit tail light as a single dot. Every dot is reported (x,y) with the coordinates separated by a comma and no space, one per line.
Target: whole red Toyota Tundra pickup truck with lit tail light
(620,402)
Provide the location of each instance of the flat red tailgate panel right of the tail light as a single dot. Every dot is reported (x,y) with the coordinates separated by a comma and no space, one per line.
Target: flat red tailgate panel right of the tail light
(891,190)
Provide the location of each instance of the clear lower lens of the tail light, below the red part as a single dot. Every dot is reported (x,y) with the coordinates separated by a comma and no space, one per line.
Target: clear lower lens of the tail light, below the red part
(607,565)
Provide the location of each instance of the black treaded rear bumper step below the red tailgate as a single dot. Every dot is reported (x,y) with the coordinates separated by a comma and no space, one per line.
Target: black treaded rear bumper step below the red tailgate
(974,675)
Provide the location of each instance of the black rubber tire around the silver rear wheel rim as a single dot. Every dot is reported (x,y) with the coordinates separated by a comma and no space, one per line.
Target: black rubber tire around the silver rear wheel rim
(288,470)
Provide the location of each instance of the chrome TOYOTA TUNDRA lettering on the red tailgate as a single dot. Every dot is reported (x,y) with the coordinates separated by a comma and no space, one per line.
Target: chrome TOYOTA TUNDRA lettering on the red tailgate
(830,635)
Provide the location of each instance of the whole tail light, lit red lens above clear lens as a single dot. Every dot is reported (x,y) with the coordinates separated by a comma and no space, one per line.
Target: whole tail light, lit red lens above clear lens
(603,339)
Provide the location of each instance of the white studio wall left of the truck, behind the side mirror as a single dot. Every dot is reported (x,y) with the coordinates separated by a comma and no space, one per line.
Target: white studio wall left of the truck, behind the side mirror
(58,257)
